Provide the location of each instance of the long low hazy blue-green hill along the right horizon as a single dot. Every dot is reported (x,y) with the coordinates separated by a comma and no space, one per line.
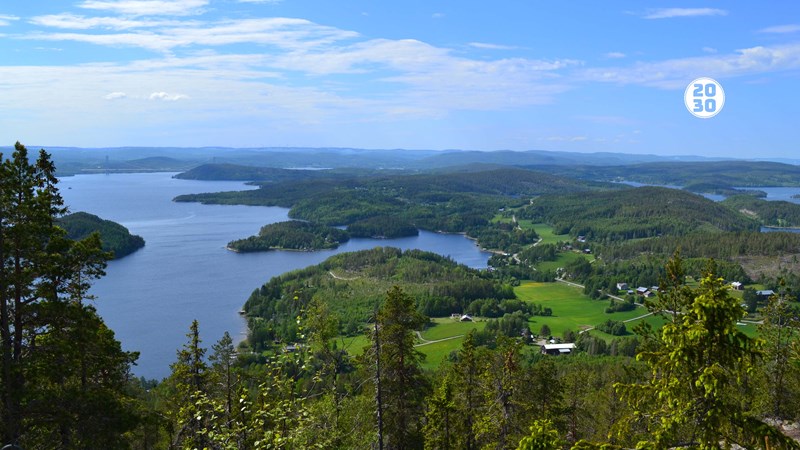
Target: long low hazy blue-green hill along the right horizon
(720,174)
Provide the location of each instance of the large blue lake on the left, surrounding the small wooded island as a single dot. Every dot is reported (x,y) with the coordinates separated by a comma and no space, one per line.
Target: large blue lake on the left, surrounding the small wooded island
(183,273)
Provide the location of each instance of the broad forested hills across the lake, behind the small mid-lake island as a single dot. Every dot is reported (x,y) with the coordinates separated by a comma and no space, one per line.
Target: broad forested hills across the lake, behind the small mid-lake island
(450,202)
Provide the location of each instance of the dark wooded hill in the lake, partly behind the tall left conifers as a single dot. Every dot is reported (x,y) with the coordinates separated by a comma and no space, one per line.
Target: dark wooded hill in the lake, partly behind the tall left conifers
(115,237)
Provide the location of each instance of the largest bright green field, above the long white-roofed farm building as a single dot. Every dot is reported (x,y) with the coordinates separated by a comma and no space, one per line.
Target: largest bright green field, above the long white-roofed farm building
(572,310)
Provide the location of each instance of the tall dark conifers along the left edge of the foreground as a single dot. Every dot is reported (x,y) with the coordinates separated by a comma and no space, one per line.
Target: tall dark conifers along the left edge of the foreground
(63,376)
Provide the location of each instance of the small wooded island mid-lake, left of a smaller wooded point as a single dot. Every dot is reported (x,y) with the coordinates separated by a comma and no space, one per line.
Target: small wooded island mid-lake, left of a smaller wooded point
(291,235)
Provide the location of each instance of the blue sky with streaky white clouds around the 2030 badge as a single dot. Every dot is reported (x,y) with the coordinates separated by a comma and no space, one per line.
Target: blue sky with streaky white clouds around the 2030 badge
(581,76)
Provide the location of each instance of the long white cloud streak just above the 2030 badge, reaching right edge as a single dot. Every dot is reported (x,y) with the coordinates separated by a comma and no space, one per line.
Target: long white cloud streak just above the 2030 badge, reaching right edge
(675,73)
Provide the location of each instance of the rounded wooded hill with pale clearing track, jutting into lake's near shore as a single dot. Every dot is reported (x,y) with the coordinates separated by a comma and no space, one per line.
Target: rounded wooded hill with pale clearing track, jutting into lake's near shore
(352,285)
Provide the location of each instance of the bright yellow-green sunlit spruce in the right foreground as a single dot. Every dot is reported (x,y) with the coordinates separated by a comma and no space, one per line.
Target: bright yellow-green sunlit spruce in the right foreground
(698,390)
